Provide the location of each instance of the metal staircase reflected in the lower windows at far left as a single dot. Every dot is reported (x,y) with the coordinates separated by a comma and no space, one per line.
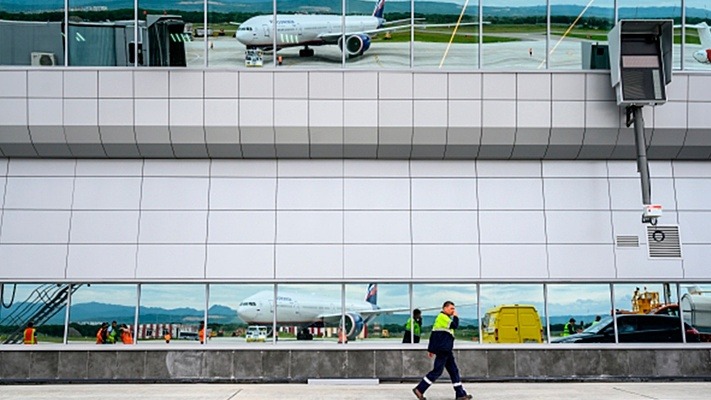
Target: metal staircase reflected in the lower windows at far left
(42,304)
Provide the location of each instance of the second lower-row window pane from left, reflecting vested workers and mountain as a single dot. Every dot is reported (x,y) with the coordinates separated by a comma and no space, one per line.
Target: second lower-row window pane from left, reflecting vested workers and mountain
(102,313)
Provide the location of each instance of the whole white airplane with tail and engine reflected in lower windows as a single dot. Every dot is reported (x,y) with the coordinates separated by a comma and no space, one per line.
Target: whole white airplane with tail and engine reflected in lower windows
(295,309)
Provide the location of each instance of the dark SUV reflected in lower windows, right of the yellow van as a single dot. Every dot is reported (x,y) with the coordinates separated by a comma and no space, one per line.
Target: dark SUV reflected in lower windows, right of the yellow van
(634,328)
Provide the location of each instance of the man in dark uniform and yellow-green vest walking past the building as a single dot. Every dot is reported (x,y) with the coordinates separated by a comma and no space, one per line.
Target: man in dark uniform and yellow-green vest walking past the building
(441,345)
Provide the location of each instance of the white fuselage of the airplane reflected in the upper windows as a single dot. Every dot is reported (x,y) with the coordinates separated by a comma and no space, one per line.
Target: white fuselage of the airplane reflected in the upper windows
(301,30)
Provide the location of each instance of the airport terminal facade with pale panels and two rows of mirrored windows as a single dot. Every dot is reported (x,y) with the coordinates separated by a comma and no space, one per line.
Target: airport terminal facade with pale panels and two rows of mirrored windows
(189,176)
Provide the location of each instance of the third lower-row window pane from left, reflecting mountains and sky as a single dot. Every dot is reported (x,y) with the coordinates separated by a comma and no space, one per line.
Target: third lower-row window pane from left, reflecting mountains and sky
(172,312)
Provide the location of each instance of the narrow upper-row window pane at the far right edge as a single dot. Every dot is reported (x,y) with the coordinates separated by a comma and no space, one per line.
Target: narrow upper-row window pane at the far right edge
(697,49)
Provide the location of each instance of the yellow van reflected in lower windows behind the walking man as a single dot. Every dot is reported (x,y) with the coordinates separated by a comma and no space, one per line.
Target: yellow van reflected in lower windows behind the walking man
(512,323)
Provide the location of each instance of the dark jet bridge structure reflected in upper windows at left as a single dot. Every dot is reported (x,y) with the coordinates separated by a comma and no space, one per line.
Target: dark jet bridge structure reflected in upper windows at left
(95,43)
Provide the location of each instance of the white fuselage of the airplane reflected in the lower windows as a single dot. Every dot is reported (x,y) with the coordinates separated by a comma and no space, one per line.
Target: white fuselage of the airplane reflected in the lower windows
(292,309)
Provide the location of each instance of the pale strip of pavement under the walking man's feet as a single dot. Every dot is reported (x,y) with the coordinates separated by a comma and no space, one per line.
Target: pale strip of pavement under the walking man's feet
(382,391)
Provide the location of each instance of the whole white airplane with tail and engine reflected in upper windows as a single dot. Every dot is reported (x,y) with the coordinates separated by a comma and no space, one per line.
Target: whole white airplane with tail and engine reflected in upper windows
(314,30)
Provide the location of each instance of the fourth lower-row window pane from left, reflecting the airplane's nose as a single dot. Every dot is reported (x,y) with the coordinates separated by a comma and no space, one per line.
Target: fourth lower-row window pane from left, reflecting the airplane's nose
(241,313)
